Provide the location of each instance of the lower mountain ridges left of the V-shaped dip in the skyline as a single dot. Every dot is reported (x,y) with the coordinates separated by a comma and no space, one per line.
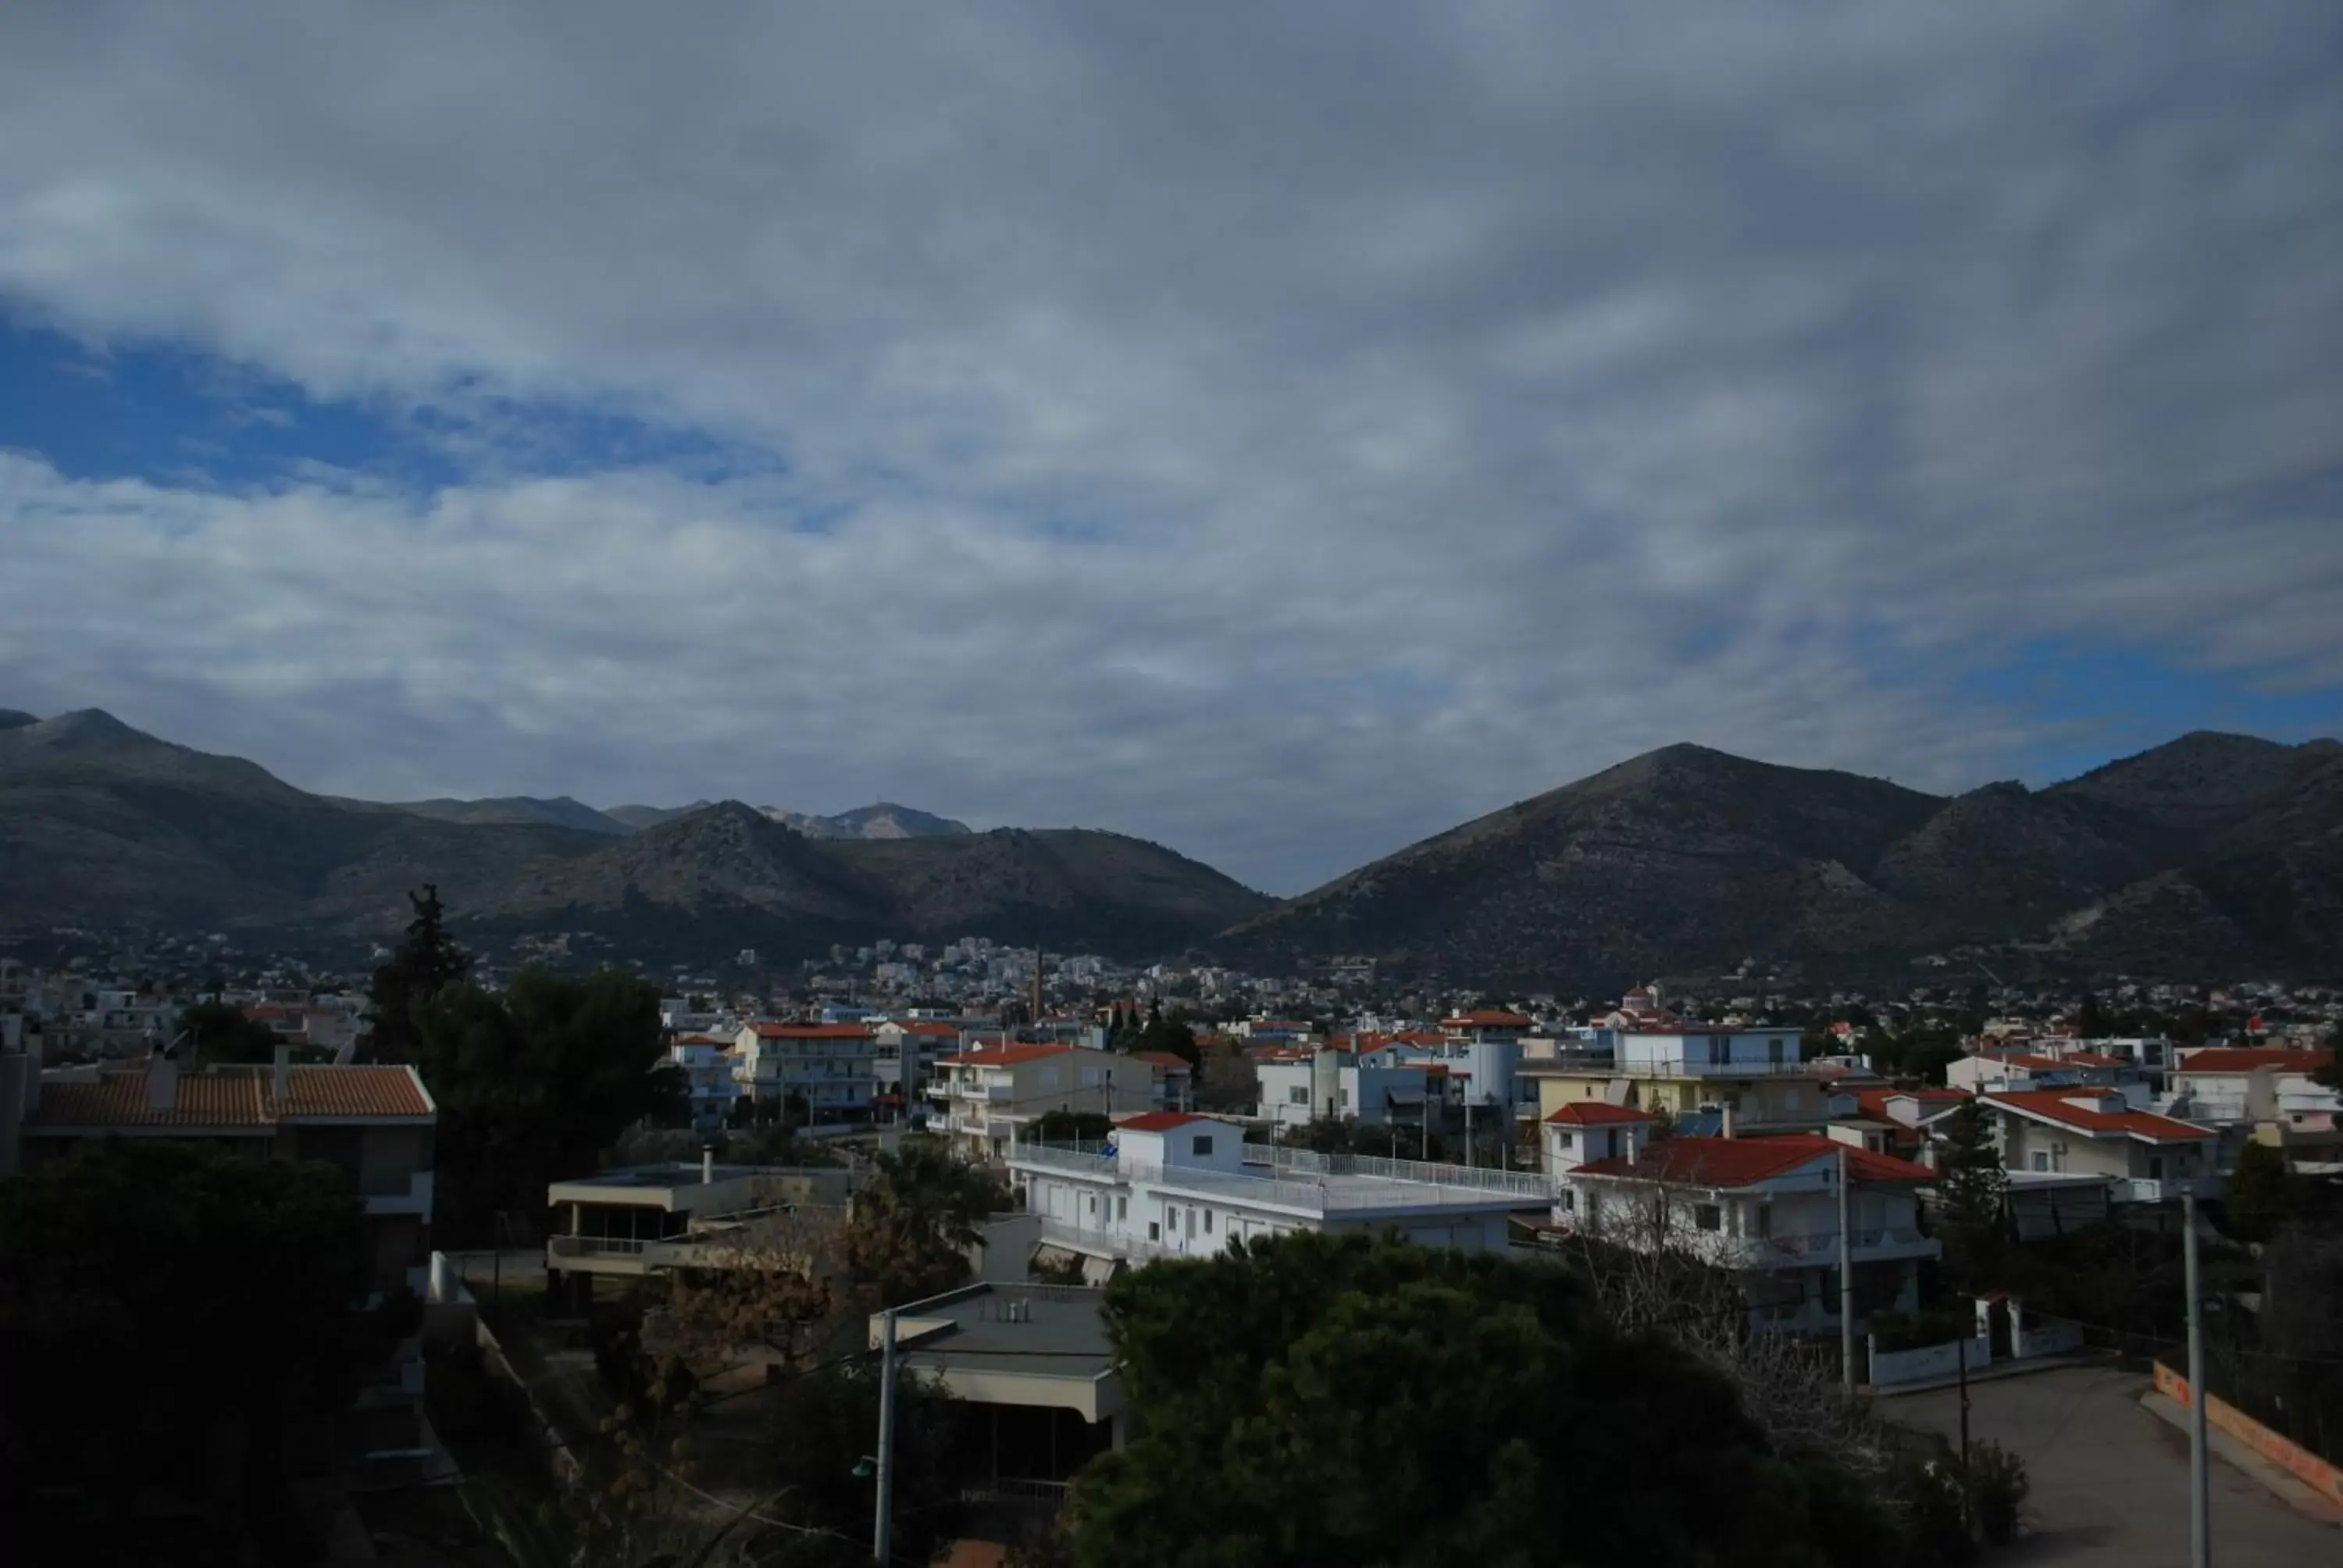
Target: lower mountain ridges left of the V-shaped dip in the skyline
(102,824)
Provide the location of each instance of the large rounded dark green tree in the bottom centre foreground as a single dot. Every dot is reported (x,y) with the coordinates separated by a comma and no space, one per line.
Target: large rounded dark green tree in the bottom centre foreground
(1341,1400)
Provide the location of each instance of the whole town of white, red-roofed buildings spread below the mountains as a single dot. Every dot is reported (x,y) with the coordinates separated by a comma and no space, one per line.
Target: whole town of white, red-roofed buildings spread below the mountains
(955,1164)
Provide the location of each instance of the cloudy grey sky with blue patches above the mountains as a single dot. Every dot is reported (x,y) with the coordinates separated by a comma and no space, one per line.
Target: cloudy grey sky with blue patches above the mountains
(1271,430)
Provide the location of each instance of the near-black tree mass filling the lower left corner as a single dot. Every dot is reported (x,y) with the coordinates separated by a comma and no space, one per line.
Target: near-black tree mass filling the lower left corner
(175,1316)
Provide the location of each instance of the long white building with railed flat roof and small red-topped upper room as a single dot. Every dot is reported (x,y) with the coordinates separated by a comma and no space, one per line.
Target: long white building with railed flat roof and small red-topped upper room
(1175,1185)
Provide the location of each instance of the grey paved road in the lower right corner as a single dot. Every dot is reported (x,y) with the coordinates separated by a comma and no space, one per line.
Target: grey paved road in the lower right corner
(2112,1480)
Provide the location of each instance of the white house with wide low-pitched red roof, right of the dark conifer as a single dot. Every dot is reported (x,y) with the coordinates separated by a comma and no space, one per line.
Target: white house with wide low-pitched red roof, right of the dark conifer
(2098,1133)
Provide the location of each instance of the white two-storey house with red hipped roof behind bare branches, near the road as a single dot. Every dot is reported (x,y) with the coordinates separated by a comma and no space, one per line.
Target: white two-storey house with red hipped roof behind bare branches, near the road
(1765,1208)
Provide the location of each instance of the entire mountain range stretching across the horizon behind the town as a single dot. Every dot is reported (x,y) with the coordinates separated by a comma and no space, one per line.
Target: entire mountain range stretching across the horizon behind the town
(2211,857)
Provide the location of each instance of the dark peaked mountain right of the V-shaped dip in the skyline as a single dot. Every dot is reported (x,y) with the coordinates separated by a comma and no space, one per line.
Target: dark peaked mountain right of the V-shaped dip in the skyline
(2201,857)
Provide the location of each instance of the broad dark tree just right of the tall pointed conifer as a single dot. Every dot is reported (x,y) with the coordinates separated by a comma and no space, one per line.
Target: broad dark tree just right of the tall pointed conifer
(535,1084)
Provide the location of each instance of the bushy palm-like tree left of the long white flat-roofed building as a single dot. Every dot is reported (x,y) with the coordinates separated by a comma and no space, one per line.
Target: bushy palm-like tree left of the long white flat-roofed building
(910,1232)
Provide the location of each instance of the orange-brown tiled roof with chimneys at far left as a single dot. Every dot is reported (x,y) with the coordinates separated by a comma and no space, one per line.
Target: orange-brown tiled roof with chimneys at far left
(235,1098)
